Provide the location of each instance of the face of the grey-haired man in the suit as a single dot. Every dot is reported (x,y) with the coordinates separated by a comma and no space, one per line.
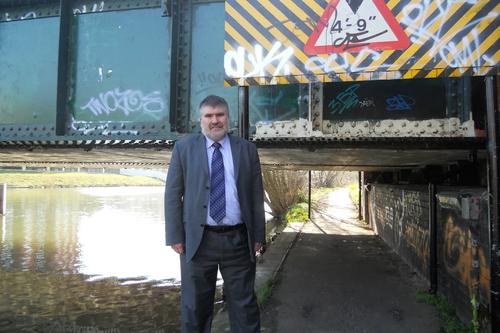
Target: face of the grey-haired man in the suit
(214,122)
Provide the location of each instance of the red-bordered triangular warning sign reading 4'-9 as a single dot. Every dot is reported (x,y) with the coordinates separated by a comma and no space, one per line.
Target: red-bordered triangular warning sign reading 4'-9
(354,26)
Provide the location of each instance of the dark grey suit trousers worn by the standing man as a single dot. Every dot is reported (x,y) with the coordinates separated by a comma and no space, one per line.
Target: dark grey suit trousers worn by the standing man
(228,251)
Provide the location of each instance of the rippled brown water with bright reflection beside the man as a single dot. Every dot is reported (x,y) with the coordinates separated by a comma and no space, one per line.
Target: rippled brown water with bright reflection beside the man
(88,260)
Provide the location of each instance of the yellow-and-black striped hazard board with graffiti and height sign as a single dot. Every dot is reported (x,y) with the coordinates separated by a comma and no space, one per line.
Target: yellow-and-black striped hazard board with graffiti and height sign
(300,41)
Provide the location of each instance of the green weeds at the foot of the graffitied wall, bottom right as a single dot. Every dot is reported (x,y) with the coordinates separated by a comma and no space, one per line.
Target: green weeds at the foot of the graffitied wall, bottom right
(446,313)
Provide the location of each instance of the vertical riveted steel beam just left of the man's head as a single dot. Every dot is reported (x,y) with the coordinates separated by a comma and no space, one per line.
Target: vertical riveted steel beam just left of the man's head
(180,73)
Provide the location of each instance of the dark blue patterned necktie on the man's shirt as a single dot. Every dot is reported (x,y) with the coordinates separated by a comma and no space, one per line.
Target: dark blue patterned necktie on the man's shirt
(217,186)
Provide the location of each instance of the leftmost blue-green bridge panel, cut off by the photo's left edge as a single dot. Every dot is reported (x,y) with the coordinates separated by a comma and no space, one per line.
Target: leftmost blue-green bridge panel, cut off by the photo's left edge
(27,84)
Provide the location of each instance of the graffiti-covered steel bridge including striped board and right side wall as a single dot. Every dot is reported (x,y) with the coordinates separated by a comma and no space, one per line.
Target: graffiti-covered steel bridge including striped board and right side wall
(405,92)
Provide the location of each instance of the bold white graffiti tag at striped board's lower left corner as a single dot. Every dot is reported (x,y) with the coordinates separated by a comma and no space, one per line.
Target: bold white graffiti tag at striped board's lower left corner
(258,61)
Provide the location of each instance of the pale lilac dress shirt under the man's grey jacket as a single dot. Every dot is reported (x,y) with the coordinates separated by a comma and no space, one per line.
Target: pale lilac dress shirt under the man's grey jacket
(233,212)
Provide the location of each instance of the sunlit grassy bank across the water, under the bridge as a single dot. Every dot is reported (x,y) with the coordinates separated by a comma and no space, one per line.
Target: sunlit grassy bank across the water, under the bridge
(70,179)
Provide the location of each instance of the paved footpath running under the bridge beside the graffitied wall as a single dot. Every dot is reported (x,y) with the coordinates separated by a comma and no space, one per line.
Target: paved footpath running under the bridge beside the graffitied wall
(337,276)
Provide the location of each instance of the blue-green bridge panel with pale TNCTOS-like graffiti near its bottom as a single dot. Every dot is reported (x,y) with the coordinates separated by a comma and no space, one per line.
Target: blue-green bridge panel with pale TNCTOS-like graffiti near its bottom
(120,72)
